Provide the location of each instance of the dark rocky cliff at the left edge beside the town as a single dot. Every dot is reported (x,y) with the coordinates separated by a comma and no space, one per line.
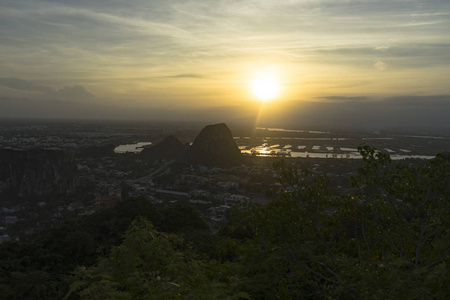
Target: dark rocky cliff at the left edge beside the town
(37,172)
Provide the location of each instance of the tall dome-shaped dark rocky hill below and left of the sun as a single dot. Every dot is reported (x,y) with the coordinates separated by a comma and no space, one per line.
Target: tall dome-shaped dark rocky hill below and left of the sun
(215,146)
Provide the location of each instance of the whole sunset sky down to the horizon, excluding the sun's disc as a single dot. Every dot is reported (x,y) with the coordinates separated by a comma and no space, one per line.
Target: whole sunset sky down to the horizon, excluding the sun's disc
(379,62)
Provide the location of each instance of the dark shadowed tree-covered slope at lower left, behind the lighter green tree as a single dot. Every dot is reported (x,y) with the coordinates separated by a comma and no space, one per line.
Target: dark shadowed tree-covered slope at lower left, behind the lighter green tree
(43,269)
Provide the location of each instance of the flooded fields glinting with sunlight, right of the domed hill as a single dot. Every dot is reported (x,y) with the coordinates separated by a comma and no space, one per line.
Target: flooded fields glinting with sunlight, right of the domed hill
(275,142)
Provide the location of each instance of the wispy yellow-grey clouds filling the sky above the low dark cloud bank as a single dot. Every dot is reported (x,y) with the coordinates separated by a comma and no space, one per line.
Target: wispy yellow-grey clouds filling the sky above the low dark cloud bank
(139,51)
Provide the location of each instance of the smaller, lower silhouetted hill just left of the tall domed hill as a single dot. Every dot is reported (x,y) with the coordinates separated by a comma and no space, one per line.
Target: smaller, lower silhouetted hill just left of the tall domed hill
(169,148)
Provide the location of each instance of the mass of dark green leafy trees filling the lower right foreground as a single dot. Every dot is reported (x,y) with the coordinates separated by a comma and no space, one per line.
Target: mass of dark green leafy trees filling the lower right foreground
(387,239)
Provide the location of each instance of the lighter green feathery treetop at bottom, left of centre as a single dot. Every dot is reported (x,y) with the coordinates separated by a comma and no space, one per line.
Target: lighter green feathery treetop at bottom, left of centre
(155,265)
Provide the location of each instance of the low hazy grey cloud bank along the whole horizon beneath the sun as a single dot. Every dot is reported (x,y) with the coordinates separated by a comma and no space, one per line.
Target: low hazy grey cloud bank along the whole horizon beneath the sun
(337,112)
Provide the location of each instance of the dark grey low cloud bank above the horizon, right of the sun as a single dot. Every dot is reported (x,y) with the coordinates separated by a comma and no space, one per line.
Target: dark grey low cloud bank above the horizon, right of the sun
(401,111)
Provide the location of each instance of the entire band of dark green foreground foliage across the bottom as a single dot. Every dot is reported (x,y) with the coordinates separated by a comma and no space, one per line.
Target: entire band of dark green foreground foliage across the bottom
(386,238)
